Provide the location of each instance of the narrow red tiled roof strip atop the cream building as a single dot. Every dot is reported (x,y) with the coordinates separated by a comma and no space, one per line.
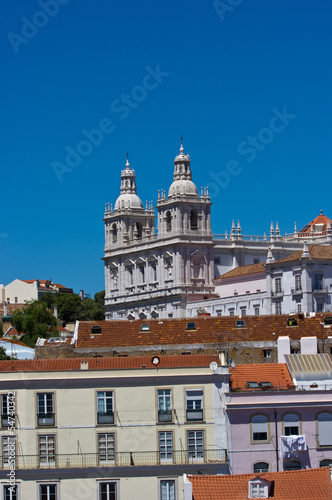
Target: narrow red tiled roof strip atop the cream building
(119,363)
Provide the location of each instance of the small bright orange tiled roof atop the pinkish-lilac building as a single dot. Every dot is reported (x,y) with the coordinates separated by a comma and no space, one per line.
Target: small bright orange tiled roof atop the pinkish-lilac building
(275,373)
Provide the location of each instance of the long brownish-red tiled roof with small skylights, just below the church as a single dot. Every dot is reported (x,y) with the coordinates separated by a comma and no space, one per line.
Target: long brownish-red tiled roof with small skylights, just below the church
(209,330)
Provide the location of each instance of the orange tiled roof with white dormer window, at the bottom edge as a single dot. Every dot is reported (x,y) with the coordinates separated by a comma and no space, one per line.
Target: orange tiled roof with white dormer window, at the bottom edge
(305,484)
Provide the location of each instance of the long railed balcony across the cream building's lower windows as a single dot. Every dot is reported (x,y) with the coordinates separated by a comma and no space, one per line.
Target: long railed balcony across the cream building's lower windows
(119,459)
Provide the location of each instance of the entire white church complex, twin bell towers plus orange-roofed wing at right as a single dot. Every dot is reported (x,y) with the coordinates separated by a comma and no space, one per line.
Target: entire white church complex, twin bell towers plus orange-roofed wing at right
(177,268)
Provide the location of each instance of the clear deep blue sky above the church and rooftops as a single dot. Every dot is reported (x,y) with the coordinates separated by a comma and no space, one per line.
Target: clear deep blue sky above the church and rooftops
(246,83)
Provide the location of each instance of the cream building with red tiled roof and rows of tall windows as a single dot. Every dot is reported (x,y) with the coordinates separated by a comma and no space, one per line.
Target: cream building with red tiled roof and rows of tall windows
(111,428)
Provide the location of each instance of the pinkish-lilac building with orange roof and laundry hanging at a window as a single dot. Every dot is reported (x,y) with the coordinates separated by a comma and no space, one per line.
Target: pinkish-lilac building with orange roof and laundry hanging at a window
(275,428)
